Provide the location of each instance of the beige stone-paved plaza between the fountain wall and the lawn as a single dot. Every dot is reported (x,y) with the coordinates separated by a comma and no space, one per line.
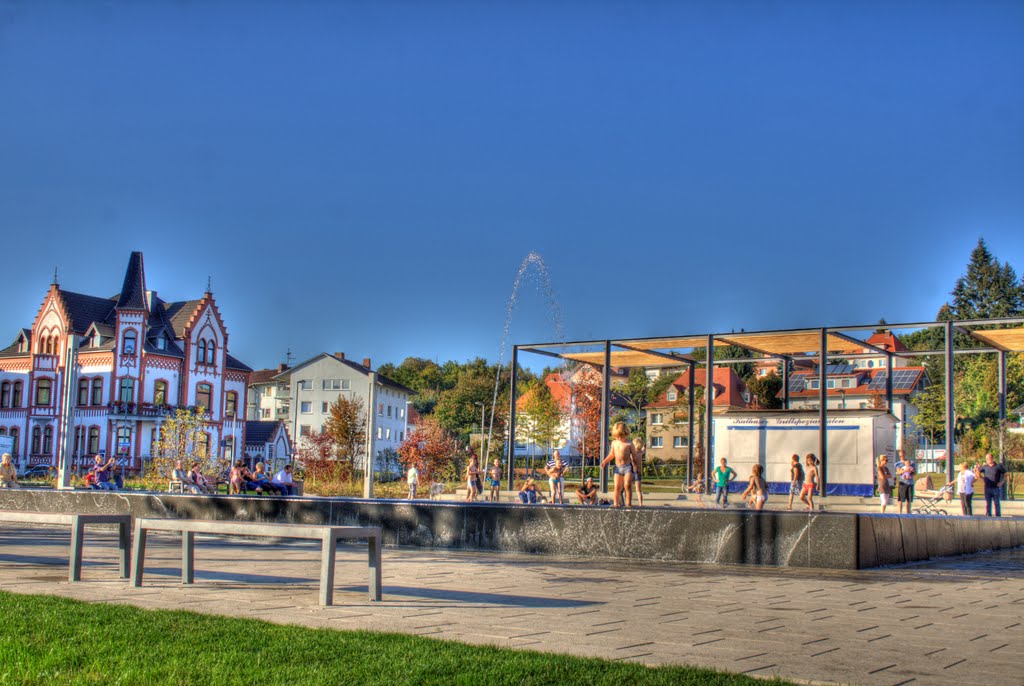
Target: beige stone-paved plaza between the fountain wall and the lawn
(959,621)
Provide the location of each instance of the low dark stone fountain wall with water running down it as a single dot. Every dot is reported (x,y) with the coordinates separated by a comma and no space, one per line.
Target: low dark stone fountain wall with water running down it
(838,541)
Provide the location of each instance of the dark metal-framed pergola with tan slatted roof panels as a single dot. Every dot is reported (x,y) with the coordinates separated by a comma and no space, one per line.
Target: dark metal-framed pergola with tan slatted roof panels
(1000,336)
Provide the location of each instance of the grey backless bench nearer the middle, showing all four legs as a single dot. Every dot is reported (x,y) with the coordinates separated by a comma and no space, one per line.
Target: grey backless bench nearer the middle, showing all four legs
(328,536)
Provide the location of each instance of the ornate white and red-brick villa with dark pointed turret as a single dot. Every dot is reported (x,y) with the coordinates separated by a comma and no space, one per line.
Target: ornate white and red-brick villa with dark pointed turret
(136,358)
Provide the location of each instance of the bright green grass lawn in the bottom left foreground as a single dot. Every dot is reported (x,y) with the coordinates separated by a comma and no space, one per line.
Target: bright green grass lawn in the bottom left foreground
(49,640)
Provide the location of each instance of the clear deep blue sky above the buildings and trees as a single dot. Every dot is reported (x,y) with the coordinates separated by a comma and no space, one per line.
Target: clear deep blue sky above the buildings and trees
(370,176)
